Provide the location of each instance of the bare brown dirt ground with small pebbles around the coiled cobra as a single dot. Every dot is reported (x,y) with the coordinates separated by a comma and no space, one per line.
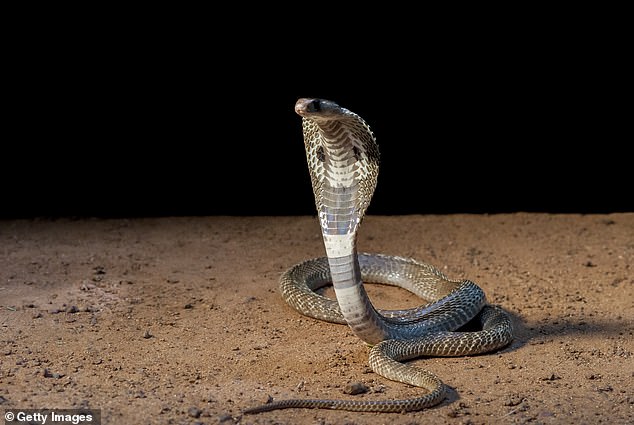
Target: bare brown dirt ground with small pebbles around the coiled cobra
(179,320)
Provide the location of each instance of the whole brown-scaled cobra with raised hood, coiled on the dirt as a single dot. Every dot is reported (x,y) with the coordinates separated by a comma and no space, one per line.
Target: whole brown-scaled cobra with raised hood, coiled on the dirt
(343,159)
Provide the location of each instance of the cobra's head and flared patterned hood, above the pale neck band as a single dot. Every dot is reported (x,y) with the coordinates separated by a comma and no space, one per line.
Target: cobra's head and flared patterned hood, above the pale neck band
(343,160)
